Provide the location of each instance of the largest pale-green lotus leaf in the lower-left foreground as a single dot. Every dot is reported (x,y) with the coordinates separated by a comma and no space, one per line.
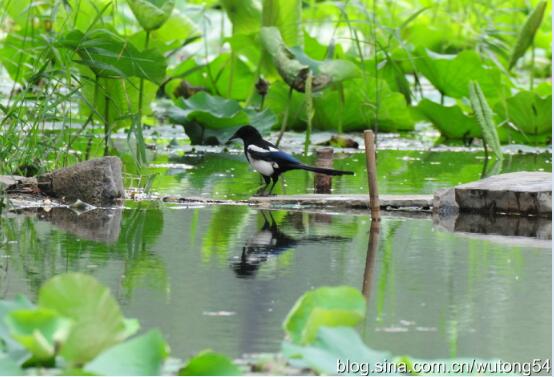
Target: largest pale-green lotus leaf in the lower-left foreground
(98,322)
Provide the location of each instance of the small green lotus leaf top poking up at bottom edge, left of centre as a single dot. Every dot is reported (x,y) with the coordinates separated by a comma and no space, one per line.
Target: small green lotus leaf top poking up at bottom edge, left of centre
(208,363)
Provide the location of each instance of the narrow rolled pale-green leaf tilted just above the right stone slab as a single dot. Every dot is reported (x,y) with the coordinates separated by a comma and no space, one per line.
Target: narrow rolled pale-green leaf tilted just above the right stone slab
(483,113)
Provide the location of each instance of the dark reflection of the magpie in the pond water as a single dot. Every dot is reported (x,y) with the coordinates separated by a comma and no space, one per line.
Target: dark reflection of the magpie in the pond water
(270,242)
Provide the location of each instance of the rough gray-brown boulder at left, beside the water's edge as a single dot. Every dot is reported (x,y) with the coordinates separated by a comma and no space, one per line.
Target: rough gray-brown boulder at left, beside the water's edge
(98,182)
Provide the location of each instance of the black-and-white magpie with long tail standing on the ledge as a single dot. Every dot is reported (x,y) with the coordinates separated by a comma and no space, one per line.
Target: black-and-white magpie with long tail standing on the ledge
(271,162)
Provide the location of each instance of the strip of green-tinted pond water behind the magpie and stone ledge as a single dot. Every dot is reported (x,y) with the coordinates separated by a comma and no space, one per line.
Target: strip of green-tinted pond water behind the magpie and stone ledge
(228,175)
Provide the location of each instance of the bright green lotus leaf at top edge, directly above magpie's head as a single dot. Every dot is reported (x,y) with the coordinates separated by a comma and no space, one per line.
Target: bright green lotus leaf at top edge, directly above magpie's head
(245,15)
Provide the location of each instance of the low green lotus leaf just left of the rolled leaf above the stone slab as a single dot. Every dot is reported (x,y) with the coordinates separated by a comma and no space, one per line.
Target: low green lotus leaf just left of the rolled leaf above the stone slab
(451,121)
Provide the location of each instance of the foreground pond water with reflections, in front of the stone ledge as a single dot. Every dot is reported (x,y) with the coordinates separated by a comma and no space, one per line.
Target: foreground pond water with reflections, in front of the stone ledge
(224,277)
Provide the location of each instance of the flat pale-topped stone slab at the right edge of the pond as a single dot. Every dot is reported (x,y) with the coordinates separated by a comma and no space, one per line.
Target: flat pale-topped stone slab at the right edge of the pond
(524,193)
